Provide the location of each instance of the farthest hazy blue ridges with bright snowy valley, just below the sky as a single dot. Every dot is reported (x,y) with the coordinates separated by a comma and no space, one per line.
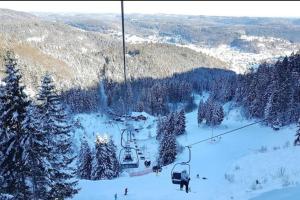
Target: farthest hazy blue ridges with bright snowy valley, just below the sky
(241,42)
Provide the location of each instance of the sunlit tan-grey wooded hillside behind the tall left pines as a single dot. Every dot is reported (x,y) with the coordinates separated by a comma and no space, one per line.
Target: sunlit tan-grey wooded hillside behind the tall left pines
(79,58)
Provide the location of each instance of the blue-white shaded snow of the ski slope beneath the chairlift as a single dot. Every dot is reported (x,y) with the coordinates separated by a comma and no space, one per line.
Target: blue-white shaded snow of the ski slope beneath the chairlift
(231,165)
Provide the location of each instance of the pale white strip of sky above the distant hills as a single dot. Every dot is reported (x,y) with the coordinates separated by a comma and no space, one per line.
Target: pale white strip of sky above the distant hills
(213,8)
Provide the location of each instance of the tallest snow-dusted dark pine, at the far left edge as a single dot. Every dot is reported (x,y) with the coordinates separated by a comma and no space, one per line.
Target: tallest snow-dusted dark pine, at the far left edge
(12,136)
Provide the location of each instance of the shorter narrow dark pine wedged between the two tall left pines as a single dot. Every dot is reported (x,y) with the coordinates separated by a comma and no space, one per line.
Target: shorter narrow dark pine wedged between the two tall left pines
(37,152)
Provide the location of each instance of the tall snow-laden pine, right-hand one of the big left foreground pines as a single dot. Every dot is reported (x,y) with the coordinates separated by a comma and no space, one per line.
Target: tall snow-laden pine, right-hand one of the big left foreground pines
(55,122)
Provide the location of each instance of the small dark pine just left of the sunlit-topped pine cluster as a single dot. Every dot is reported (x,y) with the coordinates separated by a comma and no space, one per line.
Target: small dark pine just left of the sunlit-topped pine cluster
(85,160)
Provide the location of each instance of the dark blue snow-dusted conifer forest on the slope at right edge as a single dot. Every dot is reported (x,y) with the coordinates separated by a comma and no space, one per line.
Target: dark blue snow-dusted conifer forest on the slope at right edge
(272,91)
